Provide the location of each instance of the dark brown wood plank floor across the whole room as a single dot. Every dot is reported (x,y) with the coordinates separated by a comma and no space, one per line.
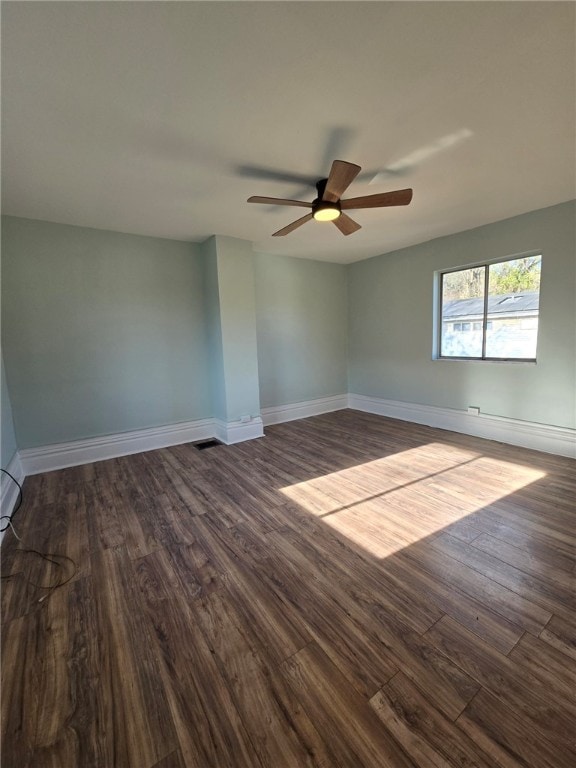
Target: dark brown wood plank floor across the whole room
(349,591)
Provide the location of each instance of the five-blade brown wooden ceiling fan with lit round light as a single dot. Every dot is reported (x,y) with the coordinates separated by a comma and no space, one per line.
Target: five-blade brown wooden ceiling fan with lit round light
(329,206)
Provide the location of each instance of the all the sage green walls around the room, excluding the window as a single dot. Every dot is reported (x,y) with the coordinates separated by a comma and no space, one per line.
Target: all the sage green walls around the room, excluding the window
(105,332)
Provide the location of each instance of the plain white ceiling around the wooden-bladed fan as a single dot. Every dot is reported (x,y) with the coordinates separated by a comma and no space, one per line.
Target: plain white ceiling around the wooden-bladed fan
(161,118)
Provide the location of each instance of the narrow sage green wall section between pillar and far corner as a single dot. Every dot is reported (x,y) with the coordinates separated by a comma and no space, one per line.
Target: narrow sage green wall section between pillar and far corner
(302,329)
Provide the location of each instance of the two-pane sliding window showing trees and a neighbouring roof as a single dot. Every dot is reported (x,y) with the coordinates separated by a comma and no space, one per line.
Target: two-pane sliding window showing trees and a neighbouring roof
(490,311)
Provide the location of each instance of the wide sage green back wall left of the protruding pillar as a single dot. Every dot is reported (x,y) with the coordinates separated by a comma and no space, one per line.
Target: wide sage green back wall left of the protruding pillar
(102,332)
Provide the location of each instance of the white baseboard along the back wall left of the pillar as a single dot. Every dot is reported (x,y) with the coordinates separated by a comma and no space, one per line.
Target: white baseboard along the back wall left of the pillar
(60,455)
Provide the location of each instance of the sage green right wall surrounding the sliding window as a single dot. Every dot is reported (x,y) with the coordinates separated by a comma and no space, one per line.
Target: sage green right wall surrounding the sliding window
(390,324)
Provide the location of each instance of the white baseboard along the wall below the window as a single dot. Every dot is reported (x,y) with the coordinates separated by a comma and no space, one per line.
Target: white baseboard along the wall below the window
(527,434)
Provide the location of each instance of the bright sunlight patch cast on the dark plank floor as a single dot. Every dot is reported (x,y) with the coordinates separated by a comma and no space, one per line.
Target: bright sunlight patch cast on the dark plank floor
(389,503)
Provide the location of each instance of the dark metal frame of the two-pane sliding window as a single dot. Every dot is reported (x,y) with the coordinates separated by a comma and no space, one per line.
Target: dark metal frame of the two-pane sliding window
(439,301)
